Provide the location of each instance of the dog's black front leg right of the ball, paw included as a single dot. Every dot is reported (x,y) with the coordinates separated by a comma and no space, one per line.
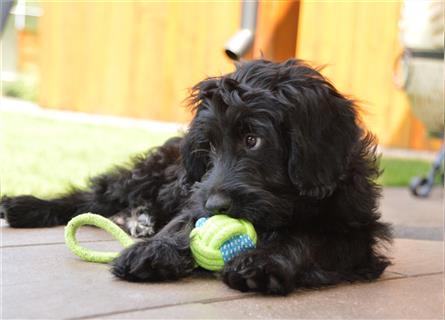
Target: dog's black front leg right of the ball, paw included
(282,262)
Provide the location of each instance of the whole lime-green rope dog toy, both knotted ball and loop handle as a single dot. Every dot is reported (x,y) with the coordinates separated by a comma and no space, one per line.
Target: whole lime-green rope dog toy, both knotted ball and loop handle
(213,242)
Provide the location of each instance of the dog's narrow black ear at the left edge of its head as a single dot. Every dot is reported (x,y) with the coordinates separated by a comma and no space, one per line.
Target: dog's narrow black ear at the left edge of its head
(195,146)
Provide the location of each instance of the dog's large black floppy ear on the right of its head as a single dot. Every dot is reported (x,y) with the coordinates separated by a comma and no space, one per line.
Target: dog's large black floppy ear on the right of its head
(322,127)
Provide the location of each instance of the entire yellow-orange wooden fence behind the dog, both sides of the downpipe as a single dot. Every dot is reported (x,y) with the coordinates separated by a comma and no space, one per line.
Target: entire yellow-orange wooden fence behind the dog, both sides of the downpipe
(138,59)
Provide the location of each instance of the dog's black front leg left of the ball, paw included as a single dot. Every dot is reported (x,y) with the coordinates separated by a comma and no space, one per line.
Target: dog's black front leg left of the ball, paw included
(165,256)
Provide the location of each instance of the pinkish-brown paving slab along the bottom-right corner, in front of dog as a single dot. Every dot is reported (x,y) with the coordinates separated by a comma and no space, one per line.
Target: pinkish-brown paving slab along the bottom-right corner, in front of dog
(406,298)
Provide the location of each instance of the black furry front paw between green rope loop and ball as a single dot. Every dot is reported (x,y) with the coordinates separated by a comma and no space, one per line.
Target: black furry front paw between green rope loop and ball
(153,260)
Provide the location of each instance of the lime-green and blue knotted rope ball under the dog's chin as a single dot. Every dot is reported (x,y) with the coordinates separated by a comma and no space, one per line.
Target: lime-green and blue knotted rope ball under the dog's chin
(216,240)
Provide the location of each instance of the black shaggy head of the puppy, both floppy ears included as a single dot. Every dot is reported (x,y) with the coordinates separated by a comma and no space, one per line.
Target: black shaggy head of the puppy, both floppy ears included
(265,136)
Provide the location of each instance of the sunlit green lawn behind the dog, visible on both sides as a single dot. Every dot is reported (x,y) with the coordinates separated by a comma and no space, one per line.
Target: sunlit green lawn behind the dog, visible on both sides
(44,156)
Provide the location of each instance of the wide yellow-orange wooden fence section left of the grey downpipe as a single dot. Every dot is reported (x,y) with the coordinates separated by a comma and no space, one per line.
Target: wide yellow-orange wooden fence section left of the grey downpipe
(132,58)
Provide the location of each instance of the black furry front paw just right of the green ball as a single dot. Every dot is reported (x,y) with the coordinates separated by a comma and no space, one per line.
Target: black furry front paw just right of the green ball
(254,271)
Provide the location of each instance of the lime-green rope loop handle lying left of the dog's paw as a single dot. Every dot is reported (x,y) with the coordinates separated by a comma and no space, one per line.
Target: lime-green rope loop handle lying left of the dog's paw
(98,221)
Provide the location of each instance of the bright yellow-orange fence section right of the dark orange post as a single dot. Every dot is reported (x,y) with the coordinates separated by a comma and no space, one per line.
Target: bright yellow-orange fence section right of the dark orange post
(359,42)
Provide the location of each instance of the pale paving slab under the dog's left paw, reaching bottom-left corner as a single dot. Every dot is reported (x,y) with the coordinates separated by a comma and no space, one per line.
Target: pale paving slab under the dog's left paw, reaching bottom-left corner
(56,284)
